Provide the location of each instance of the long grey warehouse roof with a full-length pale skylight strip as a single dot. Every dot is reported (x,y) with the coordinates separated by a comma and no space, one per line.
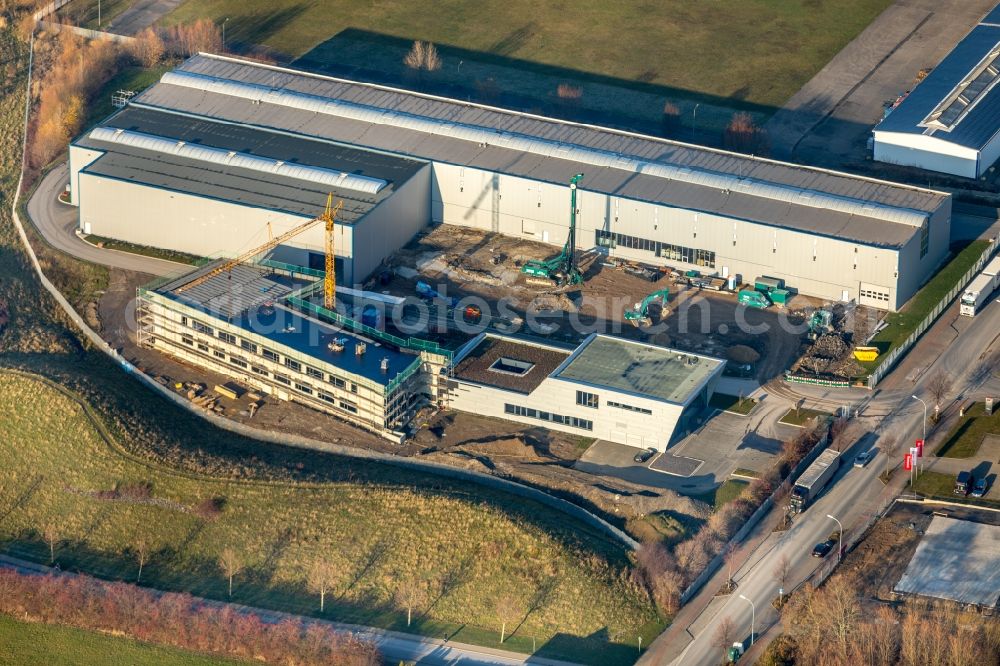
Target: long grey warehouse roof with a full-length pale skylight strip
(617,163)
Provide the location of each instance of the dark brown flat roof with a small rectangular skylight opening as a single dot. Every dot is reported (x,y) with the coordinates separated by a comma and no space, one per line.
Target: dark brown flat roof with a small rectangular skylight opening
(508,363)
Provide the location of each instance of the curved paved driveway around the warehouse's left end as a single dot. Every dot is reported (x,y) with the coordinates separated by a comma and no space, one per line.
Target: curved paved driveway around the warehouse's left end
(57,223)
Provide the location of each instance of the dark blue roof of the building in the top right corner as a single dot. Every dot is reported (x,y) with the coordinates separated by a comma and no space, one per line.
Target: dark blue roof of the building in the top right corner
(974,125)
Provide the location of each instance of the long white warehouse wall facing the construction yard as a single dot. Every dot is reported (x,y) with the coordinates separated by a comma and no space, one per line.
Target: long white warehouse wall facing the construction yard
(532,209)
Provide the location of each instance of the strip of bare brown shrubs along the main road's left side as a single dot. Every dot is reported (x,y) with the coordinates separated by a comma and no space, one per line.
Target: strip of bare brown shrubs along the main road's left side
(666,574)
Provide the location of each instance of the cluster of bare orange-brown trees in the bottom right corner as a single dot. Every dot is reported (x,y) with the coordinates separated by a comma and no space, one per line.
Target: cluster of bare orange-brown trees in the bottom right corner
(831,625)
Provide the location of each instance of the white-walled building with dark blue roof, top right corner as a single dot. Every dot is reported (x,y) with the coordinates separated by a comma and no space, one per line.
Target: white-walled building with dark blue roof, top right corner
(951,121)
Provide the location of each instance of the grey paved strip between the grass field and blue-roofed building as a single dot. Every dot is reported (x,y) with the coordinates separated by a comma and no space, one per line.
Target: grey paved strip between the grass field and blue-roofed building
(828,121)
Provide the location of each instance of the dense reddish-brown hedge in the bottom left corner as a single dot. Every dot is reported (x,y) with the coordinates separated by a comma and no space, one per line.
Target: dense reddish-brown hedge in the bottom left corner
(177,620)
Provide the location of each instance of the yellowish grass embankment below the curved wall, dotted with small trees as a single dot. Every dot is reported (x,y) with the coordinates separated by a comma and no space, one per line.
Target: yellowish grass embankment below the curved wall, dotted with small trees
(463,546)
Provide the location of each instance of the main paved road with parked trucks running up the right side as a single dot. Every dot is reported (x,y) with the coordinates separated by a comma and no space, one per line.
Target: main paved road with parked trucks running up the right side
(857,492)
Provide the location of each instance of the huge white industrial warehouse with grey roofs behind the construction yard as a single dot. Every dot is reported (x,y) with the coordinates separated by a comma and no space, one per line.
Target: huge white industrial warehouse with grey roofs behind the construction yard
(220,147)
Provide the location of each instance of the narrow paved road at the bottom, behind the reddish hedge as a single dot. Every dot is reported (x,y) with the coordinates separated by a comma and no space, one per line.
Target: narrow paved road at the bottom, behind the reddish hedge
(393,645)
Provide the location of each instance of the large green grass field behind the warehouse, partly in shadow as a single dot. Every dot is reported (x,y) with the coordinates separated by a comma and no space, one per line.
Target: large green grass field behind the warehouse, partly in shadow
(751,54)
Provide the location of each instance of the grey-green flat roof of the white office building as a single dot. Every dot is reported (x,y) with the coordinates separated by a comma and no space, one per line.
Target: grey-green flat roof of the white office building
(642,369)
